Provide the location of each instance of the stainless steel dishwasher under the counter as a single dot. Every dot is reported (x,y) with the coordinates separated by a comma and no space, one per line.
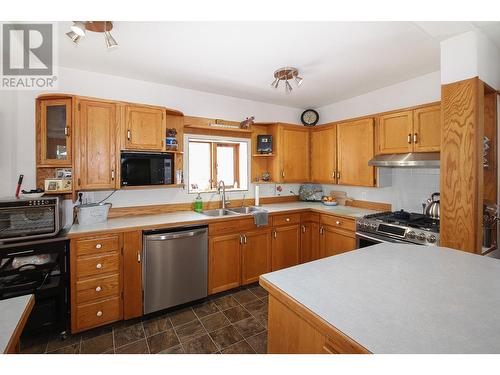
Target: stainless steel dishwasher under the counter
(174,267)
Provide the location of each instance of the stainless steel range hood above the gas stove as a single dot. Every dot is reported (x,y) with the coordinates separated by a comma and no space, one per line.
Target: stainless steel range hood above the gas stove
(412,159)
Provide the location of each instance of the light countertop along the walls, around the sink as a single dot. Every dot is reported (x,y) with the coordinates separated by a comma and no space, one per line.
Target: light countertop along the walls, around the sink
(181,218)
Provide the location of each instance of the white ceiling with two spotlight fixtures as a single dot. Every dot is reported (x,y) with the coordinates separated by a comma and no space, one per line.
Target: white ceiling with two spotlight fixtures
(338,60)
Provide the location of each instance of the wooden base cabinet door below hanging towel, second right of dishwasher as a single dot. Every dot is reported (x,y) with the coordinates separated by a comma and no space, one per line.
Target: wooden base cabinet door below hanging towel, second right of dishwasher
(255,255)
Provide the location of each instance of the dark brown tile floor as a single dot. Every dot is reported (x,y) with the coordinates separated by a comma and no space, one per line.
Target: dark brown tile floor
(233,322)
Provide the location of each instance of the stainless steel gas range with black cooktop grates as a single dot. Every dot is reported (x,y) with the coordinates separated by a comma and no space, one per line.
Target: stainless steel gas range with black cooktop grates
(399,226)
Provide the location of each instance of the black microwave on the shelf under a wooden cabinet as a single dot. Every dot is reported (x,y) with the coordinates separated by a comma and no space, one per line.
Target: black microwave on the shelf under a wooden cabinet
(141,169)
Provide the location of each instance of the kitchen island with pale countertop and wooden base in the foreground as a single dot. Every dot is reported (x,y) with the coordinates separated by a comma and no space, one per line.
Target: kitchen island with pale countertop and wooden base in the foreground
(386,298)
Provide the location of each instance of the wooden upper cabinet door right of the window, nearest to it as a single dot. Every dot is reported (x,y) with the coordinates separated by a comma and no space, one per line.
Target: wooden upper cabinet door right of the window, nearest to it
(294,154)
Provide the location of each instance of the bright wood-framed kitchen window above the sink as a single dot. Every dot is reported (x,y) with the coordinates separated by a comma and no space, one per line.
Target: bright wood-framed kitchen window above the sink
(214,160)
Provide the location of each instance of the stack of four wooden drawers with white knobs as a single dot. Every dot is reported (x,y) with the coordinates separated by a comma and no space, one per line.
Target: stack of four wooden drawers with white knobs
(96,282)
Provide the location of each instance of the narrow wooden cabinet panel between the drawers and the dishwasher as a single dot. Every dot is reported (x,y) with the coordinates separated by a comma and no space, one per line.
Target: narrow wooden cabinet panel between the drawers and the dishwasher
(132,274)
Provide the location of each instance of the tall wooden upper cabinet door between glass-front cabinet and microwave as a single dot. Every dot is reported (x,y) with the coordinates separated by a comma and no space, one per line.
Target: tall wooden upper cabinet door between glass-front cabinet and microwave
(95,141)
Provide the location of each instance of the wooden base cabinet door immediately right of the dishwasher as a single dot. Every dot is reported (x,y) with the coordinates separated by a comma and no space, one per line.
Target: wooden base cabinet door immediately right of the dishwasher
(224,263)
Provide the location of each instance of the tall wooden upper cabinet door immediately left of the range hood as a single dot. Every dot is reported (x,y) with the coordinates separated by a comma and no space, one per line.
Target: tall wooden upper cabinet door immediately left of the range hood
(355,144)
